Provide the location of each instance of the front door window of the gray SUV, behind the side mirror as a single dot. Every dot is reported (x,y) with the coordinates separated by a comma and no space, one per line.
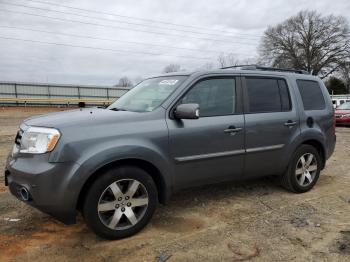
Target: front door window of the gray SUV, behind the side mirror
(214,96)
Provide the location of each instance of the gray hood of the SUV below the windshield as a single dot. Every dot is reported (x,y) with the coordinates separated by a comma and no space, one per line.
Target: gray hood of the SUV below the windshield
(81,117)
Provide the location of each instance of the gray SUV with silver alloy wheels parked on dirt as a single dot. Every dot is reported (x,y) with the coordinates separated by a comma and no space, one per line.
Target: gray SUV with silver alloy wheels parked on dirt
(180,130)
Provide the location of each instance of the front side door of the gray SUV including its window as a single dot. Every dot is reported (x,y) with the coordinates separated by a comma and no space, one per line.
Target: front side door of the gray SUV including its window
(211,148)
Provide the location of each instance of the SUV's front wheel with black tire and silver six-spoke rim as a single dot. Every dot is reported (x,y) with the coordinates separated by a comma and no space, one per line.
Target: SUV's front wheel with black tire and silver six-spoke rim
(120,202)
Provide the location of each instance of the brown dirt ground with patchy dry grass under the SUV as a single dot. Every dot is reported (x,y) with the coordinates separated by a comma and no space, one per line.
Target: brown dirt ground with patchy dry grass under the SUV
(256,220)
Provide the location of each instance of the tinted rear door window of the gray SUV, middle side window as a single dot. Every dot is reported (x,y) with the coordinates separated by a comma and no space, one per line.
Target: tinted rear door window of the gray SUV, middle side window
(267,95)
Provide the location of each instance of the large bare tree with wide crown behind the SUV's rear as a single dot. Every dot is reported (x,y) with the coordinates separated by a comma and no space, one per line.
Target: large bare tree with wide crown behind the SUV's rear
(308,41)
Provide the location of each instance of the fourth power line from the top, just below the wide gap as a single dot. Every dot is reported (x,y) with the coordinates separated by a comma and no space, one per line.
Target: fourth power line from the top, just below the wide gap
(109,39)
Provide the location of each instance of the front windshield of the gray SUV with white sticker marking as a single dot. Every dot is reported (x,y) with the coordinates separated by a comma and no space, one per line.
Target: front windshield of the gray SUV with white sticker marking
(147,95)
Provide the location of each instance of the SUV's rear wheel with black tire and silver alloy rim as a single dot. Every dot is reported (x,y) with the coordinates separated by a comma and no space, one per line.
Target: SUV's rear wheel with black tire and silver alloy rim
(293,179)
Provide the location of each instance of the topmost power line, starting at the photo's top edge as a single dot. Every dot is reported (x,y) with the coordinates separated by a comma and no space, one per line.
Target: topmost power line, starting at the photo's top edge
(135,18)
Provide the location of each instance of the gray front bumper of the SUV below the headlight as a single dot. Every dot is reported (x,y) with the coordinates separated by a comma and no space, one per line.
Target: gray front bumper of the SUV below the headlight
(48,184)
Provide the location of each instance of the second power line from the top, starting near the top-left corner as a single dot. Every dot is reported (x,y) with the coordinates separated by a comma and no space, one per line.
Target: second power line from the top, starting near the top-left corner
(124,22)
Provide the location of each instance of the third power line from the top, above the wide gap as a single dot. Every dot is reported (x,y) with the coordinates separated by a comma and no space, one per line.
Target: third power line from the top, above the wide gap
(123,28)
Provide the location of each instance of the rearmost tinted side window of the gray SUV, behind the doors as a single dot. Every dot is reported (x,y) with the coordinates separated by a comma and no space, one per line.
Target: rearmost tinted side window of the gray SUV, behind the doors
(311,94)
